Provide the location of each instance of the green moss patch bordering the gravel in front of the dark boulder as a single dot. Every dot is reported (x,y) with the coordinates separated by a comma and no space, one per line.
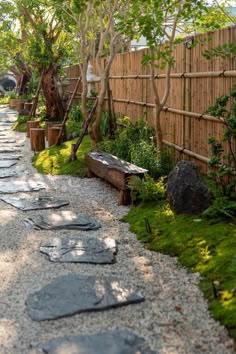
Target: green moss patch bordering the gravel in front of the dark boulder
(209,249)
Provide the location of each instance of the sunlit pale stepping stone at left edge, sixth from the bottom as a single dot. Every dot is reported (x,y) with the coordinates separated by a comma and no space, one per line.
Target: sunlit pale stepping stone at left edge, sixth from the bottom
(20,186)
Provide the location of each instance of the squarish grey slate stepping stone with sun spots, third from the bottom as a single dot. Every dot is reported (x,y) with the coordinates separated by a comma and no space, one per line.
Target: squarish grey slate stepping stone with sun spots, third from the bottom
(80,250)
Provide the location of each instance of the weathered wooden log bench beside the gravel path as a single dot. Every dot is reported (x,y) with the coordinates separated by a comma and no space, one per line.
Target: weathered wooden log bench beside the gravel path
(113,170)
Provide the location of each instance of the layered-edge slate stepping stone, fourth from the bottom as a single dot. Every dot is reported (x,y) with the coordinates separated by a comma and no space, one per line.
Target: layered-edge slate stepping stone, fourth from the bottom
(65,219)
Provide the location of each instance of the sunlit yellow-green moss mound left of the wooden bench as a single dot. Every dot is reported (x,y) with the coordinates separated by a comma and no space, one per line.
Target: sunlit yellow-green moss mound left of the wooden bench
(55,160)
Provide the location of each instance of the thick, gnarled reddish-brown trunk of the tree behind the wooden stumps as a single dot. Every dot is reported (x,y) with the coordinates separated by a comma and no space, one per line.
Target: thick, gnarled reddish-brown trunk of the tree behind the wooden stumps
(54,105)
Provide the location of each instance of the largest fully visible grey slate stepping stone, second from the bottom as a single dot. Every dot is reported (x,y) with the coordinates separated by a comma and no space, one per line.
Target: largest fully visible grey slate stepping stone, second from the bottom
(74,293)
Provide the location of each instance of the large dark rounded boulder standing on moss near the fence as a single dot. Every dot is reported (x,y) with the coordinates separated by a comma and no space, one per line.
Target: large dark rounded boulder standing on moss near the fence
(186,191)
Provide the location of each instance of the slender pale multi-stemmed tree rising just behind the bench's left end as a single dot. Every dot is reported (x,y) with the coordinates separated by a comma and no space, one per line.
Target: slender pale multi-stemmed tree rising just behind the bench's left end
(97,36)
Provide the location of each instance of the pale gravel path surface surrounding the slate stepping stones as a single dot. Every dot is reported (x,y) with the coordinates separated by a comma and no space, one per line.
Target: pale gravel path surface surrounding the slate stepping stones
(173,319)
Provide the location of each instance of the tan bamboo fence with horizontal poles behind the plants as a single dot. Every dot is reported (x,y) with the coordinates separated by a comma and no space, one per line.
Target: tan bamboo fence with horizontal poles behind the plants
(195,84)
